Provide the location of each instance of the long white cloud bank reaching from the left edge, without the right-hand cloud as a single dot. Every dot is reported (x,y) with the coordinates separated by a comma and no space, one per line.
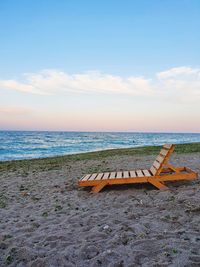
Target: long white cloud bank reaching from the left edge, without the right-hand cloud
(50,82)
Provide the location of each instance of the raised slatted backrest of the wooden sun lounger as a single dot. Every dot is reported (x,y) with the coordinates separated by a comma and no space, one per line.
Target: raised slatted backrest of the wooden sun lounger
(162,159)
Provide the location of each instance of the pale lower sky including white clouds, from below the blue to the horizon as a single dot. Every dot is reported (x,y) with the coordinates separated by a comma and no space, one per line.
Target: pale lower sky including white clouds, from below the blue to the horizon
(53,100)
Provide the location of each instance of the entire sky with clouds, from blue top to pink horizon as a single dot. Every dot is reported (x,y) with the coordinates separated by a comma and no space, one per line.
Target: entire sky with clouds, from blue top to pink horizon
(117,65)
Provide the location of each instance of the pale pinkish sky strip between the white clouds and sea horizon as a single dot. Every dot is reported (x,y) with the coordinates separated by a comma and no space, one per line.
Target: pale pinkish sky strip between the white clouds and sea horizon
(149,111)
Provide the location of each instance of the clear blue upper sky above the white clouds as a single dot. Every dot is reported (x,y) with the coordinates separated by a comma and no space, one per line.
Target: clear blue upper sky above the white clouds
(118,37)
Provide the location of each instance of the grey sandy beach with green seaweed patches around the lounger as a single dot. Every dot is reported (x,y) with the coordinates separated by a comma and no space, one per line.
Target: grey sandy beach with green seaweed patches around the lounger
(46,220)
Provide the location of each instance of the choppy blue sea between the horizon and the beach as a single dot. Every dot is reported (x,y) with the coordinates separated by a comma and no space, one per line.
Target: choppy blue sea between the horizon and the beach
(17,145)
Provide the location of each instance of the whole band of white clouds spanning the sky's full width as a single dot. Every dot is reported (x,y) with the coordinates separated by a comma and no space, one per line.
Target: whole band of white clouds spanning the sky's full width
(182,83)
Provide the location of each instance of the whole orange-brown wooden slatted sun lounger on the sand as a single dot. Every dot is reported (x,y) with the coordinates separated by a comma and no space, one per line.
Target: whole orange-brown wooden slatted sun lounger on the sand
(160,172)
